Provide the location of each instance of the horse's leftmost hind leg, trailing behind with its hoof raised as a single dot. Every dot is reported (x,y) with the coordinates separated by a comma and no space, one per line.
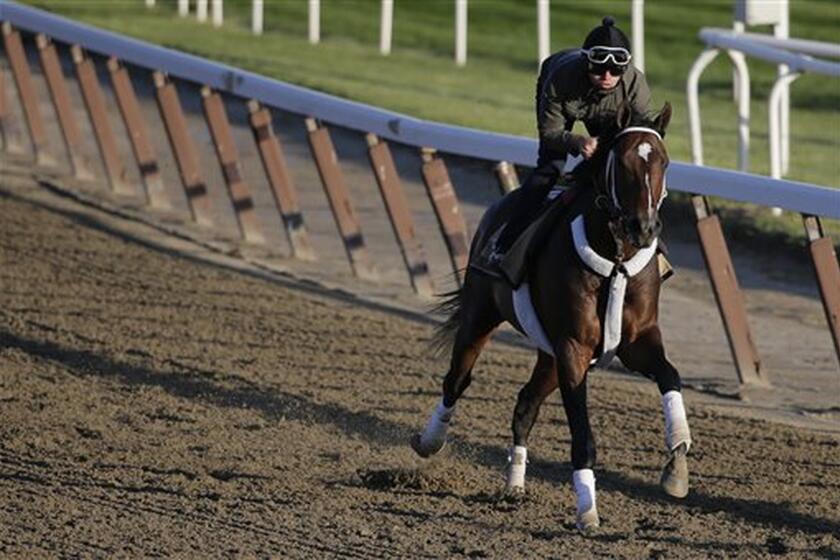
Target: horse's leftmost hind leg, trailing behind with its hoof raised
(480,318)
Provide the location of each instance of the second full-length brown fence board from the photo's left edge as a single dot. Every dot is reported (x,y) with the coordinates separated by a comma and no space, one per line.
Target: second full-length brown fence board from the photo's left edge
(63,107)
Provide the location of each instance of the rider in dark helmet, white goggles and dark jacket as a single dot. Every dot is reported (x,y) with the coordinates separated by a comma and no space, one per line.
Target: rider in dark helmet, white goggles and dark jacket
(588,85)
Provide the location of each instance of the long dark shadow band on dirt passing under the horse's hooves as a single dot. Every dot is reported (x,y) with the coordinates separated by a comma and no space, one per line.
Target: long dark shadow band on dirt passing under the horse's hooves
(228,390)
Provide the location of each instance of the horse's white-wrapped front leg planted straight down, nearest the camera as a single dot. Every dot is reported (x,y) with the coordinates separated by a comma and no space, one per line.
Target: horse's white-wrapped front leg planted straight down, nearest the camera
(572,365)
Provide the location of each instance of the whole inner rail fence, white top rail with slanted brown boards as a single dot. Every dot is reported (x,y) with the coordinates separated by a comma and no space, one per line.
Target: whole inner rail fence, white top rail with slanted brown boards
(220,86)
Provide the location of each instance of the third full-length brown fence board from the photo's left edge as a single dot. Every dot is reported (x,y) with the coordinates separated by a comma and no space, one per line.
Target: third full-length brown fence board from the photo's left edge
(94,101)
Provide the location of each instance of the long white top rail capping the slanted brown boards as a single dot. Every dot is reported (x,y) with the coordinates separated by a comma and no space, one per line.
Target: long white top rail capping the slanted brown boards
(800,197)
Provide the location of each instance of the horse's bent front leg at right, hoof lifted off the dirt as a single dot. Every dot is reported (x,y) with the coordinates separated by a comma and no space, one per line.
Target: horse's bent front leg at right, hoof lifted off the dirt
(647,355)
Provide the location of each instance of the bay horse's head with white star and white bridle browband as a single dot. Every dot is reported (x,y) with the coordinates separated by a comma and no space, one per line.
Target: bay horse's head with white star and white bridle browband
(633,182)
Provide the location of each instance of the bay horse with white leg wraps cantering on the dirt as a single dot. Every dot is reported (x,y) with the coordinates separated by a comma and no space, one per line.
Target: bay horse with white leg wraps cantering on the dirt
(591,293)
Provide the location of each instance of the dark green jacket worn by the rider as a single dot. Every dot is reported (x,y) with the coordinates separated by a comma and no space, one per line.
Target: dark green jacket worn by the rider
(565,95)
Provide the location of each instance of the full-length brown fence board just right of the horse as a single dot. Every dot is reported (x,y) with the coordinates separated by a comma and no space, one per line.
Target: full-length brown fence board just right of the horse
(730,301)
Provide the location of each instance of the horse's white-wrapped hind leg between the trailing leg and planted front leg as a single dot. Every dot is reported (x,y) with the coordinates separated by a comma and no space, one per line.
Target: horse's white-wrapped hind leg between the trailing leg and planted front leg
(542,383)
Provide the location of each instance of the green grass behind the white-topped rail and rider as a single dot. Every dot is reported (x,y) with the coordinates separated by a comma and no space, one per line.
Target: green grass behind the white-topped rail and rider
(495,89)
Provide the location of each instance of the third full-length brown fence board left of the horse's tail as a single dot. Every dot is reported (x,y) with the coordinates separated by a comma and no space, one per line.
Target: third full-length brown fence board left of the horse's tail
(338,195)
